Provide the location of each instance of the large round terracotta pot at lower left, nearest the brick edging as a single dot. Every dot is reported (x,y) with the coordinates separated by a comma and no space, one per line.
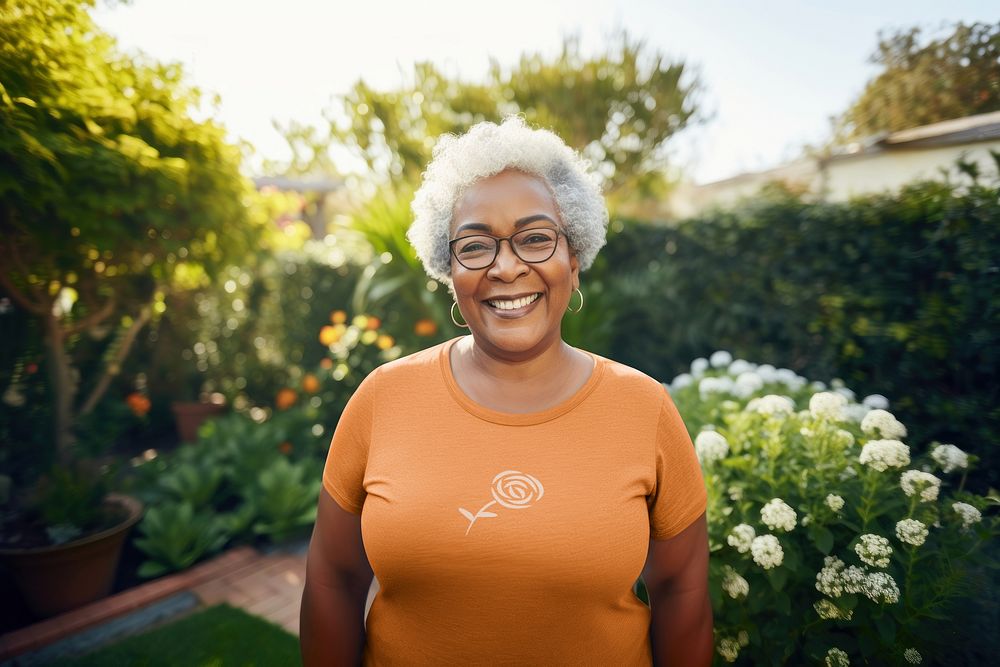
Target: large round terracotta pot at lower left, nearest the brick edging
(61,577)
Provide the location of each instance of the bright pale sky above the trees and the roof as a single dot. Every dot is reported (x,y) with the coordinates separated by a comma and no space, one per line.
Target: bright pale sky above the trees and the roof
(773,71)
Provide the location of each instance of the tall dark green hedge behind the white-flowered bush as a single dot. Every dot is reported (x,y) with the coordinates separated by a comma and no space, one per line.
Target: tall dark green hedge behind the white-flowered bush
(895,294)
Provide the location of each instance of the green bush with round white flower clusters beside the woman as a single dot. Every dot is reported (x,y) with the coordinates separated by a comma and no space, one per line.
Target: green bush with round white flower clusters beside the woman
(832,541)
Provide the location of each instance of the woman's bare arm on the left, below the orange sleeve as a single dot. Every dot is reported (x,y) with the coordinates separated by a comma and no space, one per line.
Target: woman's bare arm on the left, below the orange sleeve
(331,624)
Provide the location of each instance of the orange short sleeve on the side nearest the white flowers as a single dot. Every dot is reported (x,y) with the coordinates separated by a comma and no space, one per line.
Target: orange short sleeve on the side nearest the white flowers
(679,497)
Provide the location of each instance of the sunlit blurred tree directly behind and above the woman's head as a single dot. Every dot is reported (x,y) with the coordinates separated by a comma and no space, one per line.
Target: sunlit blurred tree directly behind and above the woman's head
(619,108)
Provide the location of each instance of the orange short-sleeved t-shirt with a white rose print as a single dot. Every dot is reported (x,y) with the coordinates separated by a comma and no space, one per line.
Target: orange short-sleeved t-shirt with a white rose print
(510,539)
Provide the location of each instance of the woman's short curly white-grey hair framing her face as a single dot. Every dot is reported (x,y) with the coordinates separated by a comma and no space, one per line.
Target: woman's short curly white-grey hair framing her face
(486,150)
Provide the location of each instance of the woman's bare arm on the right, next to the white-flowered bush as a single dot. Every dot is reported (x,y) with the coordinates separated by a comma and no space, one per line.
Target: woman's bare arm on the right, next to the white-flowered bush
(676,577)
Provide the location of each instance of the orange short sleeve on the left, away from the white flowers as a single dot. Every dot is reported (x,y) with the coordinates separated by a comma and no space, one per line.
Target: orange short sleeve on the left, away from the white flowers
(344,472)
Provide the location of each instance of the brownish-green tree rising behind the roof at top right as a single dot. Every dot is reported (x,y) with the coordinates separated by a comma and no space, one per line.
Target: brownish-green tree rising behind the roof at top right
(921,83)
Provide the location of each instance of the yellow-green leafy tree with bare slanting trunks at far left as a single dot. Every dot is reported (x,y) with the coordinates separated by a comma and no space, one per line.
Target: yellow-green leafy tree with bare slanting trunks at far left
(111,196)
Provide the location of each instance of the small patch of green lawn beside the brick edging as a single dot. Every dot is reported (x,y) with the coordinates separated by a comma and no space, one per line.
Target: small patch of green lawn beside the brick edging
(219,636)
